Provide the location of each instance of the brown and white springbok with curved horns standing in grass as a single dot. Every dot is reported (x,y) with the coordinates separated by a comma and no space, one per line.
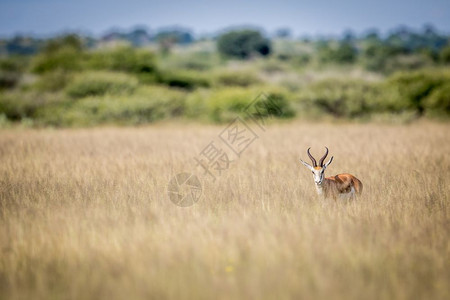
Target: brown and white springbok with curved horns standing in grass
(344,186)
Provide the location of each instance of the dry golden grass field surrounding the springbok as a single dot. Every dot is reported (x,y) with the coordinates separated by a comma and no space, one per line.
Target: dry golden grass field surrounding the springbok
(85,215)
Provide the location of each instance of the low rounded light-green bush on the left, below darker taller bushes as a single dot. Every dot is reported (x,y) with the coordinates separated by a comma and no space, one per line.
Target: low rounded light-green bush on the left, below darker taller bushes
(101,83)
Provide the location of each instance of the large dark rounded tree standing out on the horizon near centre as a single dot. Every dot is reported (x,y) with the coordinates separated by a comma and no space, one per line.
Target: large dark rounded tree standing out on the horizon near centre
(243,43)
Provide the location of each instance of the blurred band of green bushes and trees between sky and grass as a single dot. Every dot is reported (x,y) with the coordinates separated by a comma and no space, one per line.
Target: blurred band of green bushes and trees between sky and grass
(80,81)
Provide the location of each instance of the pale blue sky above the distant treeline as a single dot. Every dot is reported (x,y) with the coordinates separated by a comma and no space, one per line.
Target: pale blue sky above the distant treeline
(303,17)
